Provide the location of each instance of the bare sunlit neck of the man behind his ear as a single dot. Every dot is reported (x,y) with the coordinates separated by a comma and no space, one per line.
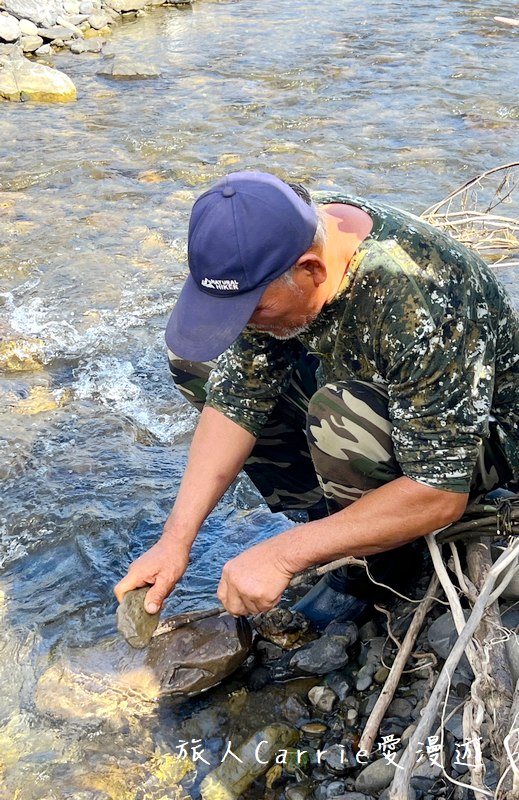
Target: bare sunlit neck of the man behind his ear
(346,227)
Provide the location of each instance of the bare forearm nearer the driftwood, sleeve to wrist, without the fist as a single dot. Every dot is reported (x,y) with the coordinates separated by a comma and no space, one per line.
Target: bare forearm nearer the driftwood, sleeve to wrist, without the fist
(388,517)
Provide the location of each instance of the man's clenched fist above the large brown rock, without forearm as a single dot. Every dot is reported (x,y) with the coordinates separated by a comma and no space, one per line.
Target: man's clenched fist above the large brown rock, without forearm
(254,581)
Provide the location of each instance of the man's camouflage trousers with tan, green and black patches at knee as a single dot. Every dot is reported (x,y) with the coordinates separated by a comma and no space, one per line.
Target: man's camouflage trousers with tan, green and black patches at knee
(321,450)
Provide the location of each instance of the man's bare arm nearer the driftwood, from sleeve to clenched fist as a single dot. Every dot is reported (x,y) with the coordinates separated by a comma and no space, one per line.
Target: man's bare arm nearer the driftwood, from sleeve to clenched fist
(390,516)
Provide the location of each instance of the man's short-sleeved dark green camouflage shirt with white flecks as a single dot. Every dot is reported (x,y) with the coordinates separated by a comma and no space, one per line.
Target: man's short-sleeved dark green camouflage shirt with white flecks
(418,314)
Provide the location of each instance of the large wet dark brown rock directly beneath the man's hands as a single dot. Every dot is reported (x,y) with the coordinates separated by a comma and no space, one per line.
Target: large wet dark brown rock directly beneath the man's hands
(197,656)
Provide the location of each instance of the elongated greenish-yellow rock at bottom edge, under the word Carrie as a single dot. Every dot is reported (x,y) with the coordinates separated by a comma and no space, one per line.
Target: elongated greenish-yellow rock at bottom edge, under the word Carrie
(231,778)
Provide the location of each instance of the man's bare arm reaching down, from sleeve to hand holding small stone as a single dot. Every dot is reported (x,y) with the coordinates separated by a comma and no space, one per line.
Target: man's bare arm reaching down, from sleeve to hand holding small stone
(219,449)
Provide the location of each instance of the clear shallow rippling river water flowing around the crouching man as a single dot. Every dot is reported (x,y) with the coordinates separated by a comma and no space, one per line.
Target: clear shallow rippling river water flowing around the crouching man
(399,101)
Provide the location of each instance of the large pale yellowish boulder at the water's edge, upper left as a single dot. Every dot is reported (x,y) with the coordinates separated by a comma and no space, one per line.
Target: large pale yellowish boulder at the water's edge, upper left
(21,79)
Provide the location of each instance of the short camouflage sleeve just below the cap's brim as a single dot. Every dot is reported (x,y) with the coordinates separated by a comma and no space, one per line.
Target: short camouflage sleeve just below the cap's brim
(249,378)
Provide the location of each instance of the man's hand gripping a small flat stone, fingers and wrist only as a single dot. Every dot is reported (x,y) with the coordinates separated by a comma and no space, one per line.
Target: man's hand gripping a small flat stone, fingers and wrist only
(162,566)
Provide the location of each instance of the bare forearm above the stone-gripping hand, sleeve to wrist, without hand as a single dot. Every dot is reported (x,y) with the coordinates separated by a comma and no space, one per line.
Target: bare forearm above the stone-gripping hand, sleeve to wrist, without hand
(218,452)
